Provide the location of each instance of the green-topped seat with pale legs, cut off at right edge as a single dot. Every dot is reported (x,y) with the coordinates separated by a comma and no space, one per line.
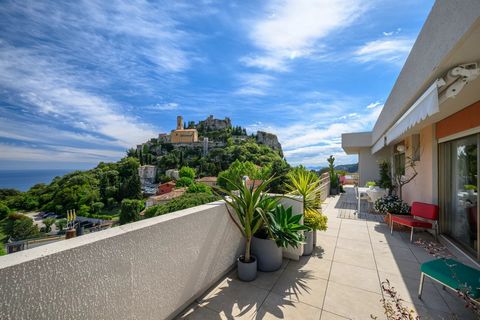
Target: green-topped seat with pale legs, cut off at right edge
(454,275)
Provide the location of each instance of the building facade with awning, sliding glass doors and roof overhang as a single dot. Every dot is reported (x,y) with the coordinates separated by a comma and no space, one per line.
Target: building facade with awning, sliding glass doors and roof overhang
(431,119)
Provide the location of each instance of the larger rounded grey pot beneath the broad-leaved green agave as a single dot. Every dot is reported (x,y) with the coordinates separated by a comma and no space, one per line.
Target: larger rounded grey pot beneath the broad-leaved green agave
(269,256)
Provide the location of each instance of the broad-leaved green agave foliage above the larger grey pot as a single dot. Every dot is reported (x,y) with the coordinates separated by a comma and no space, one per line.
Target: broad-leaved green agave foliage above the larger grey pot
(285,227)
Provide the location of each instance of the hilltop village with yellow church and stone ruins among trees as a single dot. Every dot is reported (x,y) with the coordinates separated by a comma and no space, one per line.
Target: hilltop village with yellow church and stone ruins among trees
(198,145)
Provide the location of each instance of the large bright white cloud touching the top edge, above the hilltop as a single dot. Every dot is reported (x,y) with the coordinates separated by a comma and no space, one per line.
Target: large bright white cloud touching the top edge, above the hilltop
(292,29)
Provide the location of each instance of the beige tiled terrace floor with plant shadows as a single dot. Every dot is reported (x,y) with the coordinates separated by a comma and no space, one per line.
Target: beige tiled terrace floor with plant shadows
(341,280)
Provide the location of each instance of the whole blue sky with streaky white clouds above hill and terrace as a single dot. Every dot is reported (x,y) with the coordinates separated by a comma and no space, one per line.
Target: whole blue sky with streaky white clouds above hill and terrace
(82,81)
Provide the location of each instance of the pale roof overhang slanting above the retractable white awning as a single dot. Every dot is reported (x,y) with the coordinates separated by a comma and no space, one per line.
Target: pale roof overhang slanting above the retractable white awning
(449,37)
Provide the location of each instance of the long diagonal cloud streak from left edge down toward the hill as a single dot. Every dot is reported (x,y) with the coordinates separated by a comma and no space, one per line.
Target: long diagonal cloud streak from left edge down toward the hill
(53,90)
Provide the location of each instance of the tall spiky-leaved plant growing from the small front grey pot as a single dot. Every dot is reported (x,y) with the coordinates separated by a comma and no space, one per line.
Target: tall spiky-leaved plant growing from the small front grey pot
(251,206)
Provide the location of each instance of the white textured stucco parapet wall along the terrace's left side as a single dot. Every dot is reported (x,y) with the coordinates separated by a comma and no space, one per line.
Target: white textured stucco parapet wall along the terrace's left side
(149,269)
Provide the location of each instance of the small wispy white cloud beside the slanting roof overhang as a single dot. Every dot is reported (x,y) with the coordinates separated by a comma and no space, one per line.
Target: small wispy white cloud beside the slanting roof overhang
(390,50)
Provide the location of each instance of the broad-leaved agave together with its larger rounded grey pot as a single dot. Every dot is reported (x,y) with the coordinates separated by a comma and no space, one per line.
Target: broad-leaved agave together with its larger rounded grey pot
(282,229)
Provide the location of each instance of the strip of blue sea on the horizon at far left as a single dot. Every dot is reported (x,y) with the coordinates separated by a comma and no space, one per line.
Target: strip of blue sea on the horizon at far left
(24,179)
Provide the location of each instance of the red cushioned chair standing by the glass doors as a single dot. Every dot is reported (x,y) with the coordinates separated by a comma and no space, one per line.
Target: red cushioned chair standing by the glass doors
(419,210)
